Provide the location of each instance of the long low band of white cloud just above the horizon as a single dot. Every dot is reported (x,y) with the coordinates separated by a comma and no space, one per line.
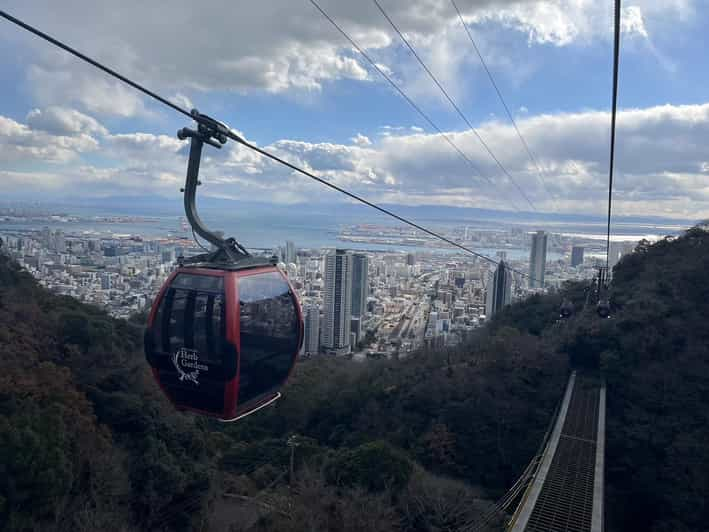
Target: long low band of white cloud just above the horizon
(661,164)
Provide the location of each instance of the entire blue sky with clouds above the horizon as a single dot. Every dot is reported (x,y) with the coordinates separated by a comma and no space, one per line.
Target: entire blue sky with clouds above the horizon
(278,72)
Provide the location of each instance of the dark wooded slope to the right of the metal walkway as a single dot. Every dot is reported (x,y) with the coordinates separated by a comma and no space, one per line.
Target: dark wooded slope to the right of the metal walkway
(655,357)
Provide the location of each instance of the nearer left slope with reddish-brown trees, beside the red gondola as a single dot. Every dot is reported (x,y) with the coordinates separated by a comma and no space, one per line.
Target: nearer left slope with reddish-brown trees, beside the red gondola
(86,442)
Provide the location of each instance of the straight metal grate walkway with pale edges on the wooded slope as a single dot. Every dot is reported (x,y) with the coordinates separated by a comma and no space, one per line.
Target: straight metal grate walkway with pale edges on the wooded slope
(566,494)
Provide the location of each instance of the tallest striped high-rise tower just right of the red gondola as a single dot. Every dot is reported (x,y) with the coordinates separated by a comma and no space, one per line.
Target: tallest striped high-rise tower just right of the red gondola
(337,300)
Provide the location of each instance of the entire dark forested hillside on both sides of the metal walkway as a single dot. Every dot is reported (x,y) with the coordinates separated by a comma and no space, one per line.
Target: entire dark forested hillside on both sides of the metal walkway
(88,443)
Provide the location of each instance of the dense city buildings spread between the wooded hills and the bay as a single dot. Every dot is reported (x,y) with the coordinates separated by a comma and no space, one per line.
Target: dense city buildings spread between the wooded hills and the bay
(402,297)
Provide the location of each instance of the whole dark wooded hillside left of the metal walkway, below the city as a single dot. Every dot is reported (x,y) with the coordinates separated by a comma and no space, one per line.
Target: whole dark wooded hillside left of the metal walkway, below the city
(89,443)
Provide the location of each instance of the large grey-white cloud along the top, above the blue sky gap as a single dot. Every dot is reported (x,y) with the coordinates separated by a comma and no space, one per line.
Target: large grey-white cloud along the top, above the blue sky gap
(282,45)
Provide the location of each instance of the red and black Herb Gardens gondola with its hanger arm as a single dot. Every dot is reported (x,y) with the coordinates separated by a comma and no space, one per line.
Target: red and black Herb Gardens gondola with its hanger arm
(225,329)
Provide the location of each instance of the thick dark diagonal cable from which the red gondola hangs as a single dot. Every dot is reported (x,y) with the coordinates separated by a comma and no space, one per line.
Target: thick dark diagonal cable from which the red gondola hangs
(236,138)
